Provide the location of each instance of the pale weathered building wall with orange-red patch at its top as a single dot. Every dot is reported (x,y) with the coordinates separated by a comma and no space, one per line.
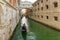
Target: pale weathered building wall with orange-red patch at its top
(9,18)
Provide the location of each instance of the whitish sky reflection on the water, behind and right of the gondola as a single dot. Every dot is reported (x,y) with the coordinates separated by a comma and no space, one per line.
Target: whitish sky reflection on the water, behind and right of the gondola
(30,35)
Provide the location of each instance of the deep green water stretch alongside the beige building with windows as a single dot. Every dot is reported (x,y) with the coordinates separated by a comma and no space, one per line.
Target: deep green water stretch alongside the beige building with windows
(43,32)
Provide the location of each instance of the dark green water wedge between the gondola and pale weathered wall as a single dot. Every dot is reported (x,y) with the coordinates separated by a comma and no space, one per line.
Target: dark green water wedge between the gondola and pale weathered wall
(17,33)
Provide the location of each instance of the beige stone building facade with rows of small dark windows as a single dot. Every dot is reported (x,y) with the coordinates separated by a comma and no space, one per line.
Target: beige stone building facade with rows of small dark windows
(47,12)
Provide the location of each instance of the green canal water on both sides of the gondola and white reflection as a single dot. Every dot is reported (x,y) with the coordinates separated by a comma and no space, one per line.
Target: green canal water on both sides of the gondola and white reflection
(40,31)
